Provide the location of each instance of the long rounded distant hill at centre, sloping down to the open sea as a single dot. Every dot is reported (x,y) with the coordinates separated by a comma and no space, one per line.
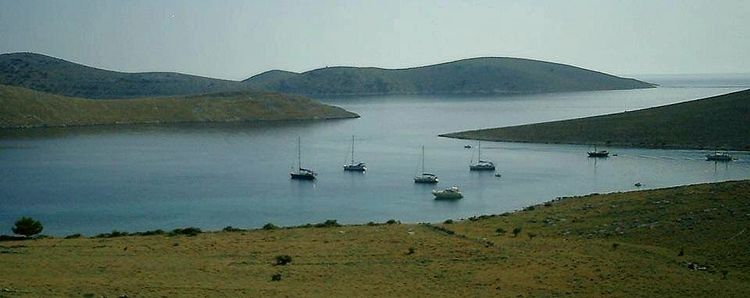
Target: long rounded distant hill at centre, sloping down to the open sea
(470,76)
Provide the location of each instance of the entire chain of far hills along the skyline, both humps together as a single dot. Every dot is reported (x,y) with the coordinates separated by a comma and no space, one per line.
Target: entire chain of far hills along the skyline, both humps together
(491,75)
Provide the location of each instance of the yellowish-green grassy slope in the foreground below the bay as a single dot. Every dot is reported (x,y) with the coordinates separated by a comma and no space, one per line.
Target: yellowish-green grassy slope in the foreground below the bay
(680,242)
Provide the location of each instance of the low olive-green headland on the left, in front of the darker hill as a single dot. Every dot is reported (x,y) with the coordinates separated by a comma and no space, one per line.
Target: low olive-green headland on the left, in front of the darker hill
(28,108)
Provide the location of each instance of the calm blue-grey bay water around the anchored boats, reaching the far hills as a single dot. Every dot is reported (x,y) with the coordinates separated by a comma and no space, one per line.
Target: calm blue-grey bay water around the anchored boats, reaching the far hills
(94,180)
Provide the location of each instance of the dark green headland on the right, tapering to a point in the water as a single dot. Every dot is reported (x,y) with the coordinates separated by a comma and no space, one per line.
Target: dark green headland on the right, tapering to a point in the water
(717,122)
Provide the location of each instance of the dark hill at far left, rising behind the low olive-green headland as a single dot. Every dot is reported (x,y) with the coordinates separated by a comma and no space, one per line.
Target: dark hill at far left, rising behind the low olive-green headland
(57,76)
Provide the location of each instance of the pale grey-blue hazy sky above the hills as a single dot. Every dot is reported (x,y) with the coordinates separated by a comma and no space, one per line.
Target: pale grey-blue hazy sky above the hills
(237,39)
